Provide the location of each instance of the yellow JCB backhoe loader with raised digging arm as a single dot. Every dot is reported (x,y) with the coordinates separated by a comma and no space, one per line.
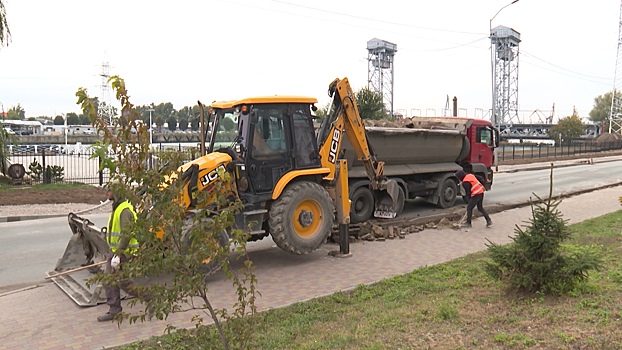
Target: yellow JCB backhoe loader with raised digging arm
(290,178)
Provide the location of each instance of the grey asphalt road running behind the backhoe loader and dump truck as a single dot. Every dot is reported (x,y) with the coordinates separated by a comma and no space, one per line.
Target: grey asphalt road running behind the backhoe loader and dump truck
(30,248)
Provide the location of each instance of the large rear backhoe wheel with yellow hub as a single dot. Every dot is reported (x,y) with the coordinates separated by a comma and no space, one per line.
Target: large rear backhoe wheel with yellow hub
(302,218)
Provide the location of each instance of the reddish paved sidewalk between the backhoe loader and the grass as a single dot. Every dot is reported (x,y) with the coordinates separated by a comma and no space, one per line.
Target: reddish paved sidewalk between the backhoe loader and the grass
(45,318)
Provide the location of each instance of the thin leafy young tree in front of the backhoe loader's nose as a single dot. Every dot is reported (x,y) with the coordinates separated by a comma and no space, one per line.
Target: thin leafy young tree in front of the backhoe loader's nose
(178,247)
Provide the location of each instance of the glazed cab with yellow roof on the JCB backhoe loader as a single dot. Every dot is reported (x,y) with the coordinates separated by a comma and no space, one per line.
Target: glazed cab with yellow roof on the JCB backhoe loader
(272,136)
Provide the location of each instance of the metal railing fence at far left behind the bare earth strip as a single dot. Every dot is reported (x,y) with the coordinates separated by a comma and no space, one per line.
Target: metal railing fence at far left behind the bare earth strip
(44,165)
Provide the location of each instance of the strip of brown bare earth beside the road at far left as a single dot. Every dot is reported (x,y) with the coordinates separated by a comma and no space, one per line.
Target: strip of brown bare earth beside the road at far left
(29,195)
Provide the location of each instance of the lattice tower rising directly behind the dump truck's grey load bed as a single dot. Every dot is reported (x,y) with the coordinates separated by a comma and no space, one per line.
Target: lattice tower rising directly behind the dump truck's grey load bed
(380,57)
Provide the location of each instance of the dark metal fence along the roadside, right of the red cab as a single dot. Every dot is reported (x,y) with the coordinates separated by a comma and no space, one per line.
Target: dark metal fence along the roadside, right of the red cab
(535,151)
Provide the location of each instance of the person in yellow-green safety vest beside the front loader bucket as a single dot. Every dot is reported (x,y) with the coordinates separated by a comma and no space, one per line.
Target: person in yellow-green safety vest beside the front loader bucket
(123,247)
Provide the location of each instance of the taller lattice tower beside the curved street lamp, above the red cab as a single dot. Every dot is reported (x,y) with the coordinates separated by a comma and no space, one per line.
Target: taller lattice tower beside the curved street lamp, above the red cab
(504,51)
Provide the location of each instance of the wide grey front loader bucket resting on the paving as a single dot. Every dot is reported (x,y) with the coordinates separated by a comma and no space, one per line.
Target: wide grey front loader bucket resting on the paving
(87,246)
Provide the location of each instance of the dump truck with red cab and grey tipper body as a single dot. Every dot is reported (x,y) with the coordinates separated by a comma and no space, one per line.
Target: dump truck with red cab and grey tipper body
(422,154)
